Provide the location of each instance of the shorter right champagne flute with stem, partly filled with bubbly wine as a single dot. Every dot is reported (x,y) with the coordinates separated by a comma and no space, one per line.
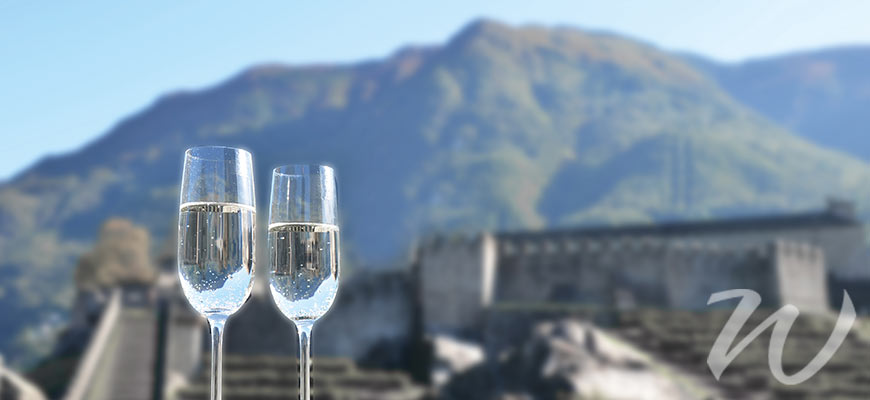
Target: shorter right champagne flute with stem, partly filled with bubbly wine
(304,248)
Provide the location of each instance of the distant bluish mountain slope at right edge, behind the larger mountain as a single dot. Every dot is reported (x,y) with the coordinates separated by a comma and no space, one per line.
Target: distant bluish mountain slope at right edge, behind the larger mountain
(821,95)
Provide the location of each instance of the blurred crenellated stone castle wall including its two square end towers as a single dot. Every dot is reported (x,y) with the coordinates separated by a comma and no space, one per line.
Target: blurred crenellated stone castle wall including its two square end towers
(610,272)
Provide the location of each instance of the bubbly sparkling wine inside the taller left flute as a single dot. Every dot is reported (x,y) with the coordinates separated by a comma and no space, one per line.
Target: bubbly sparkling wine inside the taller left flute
(216,255)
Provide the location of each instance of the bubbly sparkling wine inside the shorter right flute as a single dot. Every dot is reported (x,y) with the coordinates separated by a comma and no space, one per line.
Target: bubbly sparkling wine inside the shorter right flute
(304,268)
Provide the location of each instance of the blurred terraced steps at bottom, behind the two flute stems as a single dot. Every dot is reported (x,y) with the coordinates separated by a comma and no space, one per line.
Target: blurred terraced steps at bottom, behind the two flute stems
(275,378)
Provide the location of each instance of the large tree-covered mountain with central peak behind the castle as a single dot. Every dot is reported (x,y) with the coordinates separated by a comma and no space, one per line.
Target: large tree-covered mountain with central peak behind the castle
(499,128)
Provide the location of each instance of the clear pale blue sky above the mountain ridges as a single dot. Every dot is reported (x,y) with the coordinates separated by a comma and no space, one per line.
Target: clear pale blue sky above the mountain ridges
(70,70)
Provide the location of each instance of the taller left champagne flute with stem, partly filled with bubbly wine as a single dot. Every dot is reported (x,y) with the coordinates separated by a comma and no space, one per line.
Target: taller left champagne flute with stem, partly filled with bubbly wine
(216,228)
